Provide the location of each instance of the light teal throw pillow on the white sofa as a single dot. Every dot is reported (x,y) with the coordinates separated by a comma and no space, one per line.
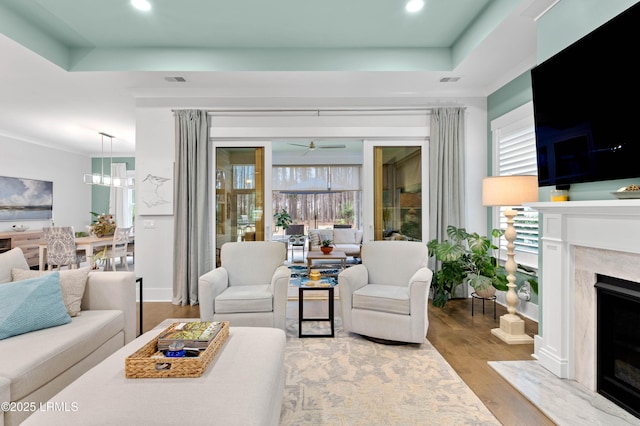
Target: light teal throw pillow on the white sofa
(30,305)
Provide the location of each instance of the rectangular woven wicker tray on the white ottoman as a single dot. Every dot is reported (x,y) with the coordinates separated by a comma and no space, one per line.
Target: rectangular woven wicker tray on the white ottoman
(148,362)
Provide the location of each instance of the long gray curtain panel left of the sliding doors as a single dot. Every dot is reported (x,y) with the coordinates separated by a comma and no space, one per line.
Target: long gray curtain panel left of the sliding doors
(192,255)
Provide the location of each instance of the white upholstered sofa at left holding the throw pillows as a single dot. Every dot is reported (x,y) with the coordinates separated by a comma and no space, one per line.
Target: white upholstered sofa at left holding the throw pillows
(36,365)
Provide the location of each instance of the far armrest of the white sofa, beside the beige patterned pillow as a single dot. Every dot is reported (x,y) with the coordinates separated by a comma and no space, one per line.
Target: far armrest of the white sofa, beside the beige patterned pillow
(113,291)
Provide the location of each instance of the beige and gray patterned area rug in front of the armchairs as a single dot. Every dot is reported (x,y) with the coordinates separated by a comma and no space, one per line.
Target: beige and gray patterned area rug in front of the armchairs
(348,380)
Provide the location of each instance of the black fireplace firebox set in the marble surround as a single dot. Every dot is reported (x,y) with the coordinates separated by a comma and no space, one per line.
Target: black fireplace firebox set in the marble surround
(618,342)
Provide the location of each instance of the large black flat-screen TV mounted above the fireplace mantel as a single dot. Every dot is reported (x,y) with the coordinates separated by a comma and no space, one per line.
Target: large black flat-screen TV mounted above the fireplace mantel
(585,122)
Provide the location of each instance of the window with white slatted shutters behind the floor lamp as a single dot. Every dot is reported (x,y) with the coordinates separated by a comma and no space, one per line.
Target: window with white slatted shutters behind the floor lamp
(514,150)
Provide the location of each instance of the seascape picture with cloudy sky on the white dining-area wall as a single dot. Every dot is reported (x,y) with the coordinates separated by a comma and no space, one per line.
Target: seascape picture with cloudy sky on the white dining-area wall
(25,199)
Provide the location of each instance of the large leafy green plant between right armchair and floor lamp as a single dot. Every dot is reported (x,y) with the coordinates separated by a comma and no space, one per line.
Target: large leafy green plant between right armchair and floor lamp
(466,257)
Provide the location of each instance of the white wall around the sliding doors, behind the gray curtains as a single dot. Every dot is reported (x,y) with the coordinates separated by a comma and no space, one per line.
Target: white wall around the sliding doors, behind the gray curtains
(155,136)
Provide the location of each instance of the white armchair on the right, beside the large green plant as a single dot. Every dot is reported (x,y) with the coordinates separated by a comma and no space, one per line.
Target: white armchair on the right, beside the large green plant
(386,296)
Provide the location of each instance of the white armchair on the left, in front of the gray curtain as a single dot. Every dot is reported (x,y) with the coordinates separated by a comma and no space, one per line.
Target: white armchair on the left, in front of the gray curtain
(249,288)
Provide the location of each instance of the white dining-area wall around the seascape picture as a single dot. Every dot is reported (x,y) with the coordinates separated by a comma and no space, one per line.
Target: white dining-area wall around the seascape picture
(71,197)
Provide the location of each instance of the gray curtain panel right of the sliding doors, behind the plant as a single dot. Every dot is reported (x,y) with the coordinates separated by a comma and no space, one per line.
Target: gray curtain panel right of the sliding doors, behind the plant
(446,174)
